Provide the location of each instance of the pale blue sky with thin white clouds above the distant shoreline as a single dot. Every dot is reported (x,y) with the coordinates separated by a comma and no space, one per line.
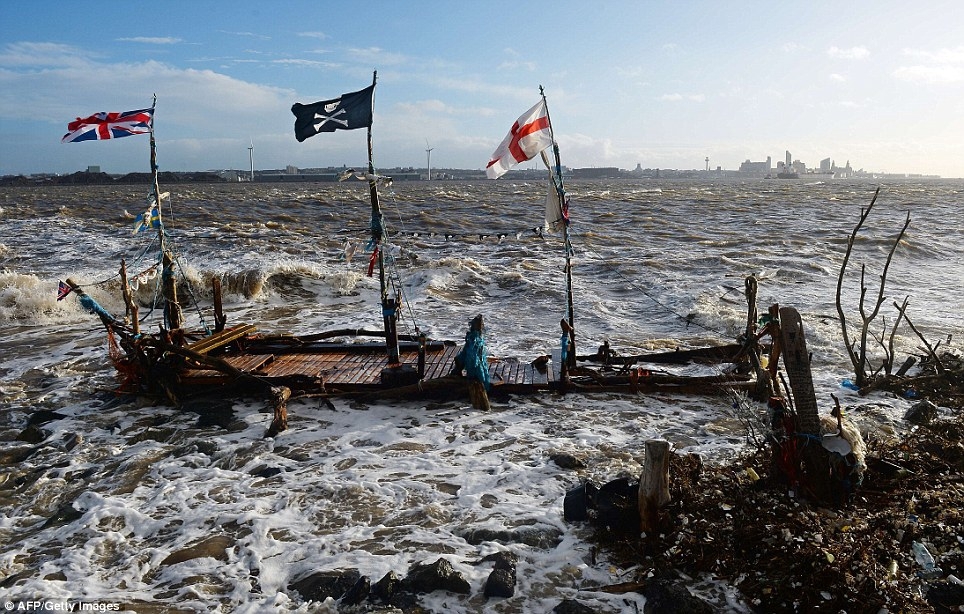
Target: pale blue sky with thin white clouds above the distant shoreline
(662,84)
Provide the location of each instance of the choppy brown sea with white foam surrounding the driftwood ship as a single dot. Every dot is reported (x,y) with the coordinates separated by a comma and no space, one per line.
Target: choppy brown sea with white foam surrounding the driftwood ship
(120,500)
